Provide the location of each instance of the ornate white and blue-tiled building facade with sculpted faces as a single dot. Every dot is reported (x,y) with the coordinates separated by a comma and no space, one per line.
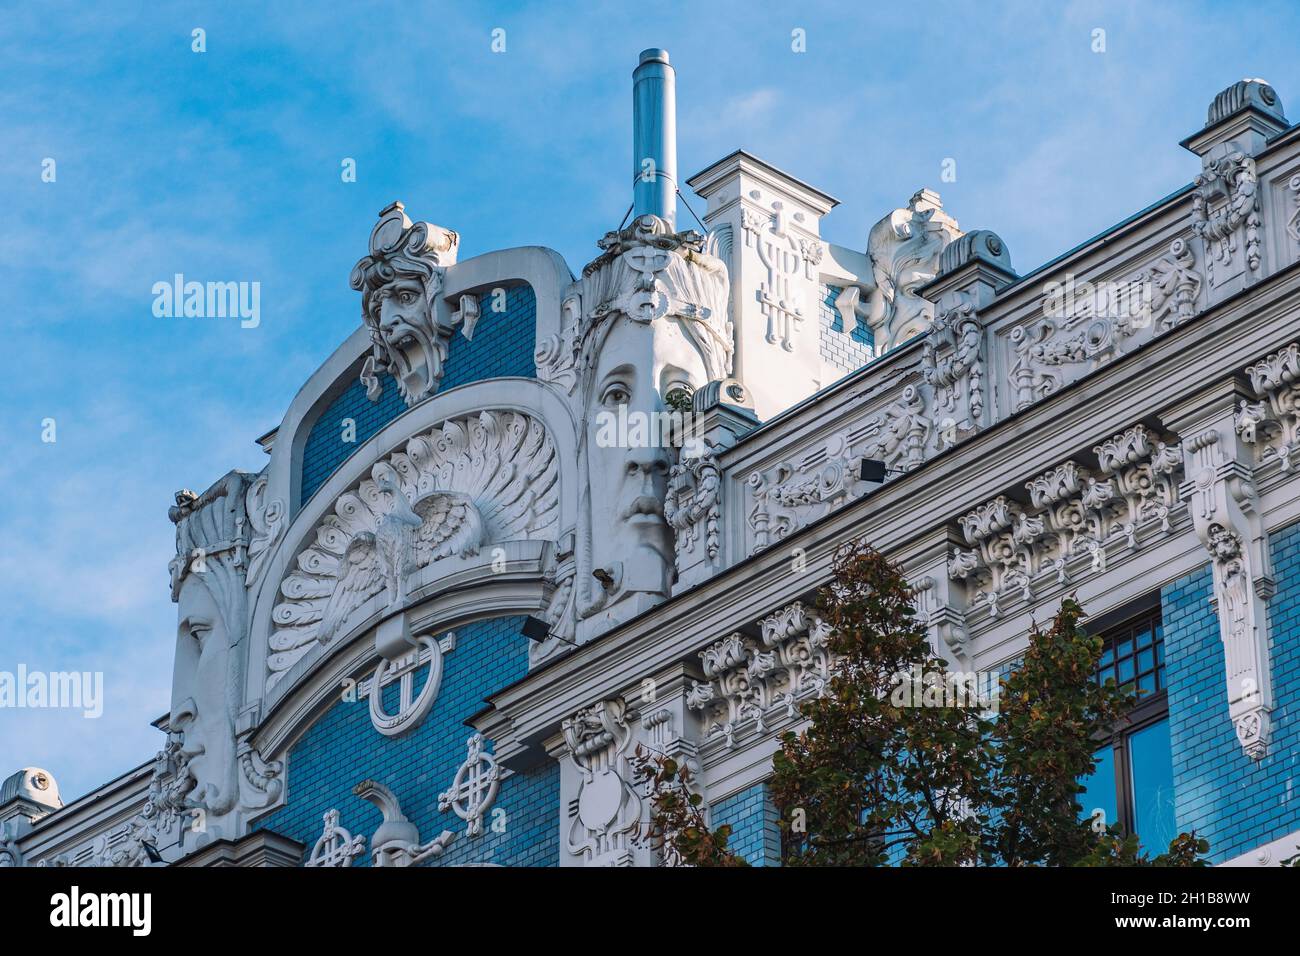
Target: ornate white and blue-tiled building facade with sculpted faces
(484,563)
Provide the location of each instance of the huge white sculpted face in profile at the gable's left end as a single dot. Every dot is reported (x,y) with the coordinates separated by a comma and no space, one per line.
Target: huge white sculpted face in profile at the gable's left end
(201,708)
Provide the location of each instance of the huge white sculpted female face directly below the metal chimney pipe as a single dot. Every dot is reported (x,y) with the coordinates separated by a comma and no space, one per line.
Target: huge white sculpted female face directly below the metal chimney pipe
(639,366)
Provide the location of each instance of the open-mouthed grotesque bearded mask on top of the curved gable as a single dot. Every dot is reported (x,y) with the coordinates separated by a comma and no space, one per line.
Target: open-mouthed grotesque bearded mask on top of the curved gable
(400,283)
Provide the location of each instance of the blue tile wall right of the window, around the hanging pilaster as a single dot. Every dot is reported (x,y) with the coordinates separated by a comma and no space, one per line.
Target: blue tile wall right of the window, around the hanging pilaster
(1229,799)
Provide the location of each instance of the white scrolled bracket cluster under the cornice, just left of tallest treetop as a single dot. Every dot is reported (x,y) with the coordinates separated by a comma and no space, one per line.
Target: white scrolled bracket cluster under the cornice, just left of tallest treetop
(755,684)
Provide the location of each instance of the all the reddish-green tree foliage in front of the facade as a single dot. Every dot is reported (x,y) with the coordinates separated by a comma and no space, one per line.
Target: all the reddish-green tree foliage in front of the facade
(877,780)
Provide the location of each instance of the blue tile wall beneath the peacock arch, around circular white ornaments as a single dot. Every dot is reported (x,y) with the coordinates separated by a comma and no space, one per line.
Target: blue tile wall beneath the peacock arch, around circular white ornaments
(344,749)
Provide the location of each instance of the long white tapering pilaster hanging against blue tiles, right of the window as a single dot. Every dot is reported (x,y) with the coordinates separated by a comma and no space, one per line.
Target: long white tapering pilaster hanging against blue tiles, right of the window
(1221,495)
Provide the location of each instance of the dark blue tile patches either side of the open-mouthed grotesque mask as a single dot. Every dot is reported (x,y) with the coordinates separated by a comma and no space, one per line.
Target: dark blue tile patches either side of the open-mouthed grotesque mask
(502,345)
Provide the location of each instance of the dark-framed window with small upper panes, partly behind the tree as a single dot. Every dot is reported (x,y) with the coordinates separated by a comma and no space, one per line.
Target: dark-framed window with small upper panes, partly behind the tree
(1134,781)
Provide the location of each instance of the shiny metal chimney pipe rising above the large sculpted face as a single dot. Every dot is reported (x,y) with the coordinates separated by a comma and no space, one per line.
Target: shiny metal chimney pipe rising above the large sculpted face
(655,137)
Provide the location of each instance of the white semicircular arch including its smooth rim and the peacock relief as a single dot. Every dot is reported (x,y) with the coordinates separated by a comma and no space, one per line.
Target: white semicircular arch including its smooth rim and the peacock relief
(500,452)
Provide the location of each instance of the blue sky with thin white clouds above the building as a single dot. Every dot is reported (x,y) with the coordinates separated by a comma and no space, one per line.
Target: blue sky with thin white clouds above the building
(226,166)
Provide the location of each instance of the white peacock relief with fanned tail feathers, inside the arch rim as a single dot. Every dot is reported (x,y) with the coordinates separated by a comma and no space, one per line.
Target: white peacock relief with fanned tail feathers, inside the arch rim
(482,478)
